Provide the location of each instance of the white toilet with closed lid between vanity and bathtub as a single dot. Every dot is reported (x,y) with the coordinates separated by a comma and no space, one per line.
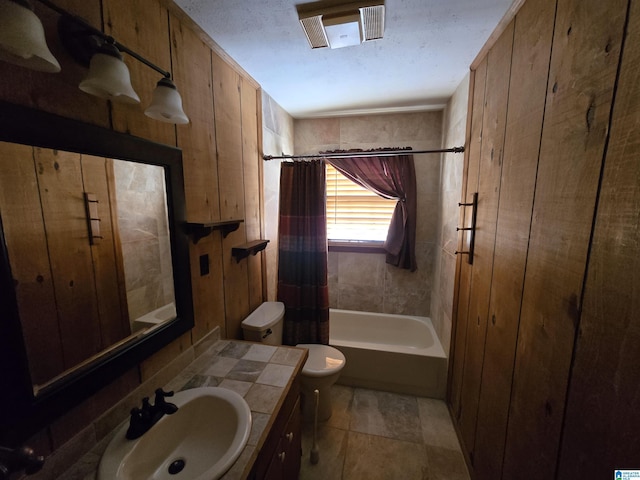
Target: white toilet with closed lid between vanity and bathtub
(320,371)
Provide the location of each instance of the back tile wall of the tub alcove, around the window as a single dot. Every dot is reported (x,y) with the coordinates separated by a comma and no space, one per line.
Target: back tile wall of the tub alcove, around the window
(365,282)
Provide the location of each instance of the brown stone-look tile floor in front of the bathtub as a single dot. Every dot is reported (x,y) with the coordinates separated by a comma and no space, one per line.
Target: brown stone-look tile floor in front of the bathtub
(375,435)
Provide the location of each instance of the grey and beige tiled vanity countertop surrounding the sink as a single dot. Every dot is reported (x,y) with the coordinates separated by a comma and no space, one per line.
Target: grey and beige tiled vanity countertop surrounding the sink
(262,374)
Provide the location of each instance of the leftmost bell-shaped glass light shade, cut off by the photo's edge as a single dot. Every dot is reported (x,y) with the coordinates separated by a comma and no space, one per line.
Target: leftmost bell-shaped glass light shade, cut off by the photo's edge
(22,40)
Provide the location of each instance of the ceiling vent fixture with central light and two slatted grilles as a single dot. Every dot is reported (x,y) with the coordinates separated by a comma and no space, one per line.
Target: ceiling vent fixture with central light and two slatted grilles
(338,26)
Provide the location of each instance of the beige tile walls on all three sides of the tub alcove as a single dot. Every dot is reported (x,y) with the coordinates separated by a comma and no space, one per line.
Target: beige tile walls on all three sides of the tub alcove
(360,281)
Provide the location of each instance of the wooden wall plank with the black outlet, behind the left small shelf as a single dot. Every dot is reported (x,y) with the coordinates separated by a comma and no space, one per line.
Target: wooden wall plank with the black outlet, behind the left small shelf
(192,64)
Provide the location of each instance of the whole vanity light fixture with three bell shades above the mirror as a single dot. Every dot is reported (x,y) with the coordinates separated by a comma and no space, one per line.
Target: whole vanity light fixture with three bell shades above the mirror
(108,75)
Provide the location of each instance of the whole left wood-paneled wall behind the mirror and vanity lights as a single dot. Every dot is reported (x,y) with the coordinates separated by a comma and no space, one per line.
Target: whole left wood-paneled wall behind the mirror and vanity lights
(221,161)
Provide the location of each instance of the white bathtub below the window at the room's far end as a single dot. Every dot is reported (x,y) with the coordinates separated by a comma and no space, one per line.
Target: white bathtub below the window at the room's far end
(394,353)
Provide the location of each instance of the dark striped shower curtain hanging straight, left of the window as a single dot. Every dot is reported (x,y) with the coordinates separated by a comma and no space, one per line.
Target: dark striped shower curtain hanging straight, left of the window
(302,252)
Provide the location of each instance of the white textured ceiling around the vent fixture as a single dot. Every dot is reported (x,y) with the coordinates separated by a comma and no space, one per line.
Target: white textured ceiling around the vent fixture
(426,51)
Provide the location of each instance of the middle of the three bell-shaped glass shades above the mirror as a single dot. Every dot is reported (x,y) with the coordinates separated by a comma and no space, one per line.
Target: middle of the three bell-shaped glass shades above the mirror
(109,77)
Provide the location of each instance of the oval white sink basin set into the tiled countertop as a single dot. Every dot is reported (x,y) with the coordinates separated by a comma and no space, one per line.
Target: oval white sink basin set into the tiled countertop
(201,441)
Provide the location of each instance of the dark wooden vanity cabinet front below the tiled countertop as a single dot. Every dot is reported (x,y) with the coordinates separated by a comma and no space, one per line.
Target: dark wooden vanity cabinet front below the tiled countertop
(280,457)
